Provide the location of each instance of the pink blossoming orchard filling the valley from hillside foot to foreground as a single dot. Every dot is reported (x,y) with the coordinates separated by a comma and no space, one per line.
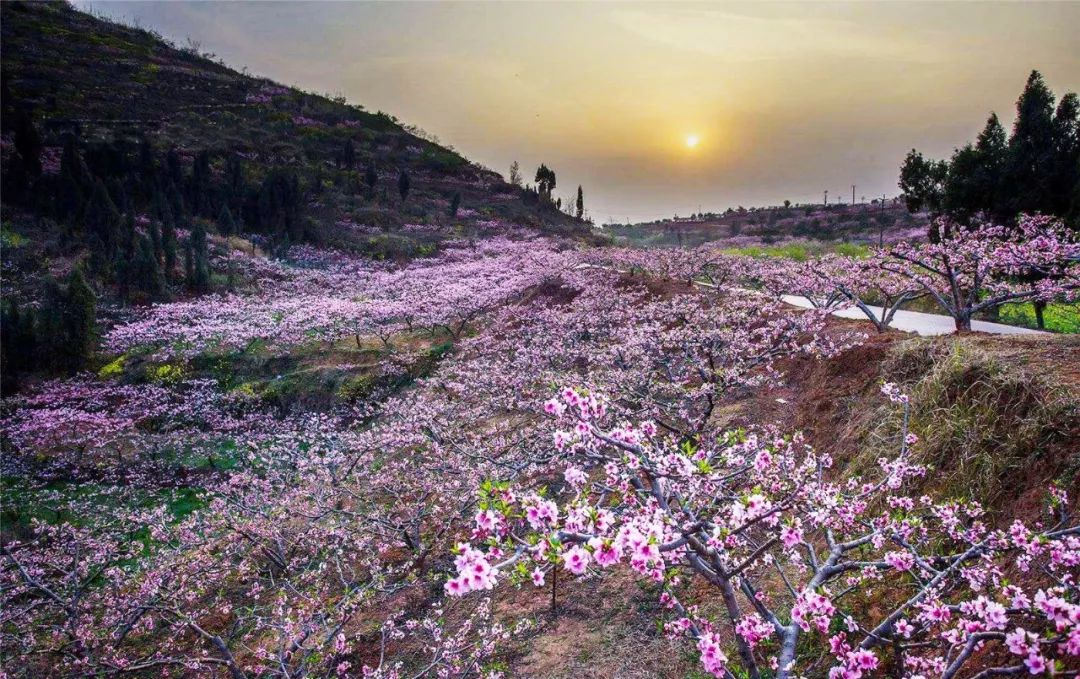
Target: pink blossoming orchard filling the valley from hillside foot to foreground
(180,526)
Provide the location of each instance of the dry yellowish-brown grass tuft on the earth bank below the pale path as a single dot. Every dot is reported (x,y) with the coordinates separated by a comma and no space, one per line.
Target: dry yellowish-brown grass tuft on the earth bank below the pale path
(981,423)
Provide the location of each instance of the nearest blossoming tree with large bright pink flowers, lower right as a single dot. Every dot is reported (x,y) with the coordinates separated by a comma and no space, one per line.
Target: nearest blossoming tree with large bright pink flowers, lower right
(757,515)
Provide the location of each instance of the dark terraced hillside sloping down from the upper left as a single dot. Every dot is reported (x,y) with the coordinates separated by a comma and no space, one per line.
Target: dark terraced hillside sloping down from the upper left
(128,99)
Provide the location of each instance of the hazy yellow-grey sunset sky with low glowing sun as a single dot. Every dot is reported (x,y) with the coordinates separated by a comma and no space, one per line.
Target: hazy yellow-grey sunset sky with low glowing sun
(785,101)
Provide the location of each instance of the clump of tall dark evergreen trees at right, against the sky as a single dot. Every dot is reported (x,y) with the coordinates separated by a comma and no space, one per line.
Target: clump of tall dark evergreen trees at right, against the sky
(1036,169)
